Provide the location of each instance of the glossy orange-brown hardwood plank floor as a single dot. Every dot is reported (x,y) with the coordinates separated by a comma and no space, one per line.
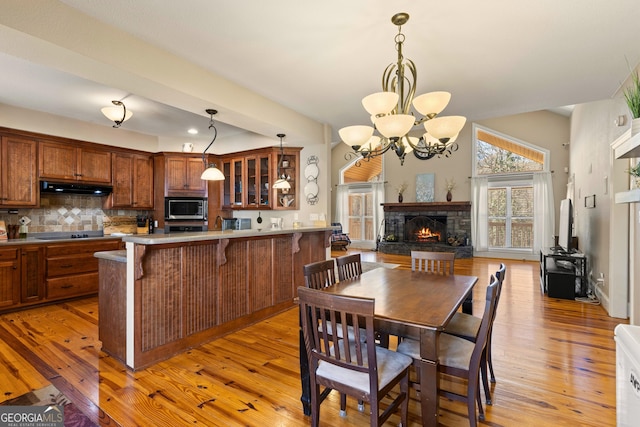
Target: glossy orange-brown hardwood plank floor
(554,363)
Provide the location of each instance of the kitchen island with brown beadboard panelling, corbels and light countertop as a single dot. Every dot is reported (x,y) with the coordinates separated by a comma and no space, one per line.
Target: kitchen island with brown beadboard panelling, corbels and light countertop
(170,292)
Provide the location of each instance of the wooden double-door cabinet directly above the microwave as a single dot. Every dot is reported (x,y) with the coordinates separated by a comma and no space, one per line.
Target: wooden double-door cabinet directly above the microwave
(178,174)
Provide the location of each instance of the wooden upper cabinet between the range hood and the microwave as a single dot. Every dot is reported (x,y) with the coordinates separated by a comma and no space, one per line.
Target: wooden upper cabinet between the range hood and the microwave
(132,181)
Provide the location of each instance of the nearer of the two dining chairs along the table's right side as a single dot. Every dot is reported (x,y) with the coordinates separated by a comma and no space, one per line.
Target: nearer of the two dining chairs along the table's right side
(462,358)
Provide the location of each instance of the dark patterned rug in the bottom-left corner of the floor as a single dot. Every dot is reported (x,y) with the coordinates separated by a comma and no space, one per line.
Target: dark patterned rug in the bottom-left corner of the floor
(50,395)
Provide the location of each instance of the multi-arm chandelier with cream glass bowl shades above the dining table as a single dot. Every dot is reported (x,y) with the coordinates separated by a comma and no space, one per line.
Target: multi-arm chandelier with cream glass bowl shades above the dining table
(392,118)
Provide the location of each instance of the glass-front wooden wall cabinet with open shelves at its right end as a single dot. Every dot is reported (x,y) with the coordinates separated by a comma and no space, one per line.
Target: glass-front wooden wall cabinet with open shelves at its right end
(249,177)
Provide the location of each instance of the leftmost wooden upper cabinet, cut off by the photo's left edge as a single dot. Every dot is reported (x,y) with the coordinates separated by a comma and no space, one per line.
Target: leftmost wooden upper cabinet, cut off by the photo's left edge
(18,172)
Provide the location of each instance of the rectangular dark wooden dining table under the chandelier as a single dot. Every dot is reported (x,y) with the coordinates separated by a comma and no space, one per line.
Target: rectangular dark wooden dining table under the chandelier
(408,304)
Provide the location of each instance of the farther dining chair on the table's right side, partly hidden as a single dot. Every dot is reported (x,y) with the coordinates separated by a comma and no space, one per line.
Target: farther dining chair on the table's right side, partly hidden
(467,326)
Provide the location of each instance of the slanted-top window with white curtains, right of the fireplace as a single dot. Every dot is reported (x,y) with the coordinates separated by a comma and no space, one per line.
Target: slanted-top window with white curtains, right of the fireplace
(512,194)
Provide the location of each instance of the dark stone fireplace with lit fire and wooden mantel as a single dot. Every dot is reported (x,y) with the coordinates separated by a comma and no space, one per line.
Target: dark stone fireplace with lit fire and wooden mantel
(434,226)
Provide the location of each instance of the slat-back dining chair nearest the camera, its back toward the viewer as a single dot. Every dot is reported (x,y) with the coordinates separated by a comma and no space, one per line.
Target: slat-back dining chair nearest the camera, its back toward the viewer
(350,366)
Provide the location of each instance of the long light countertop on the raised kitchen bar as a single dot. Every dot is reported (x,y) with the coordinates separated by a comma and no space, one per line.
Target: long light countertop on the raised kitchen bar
(159,239)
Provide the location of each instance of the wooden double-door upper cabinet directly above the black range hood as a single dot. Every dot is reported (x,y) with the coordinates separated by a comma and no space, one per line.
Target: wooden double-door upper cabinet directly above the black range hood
(68,162)
